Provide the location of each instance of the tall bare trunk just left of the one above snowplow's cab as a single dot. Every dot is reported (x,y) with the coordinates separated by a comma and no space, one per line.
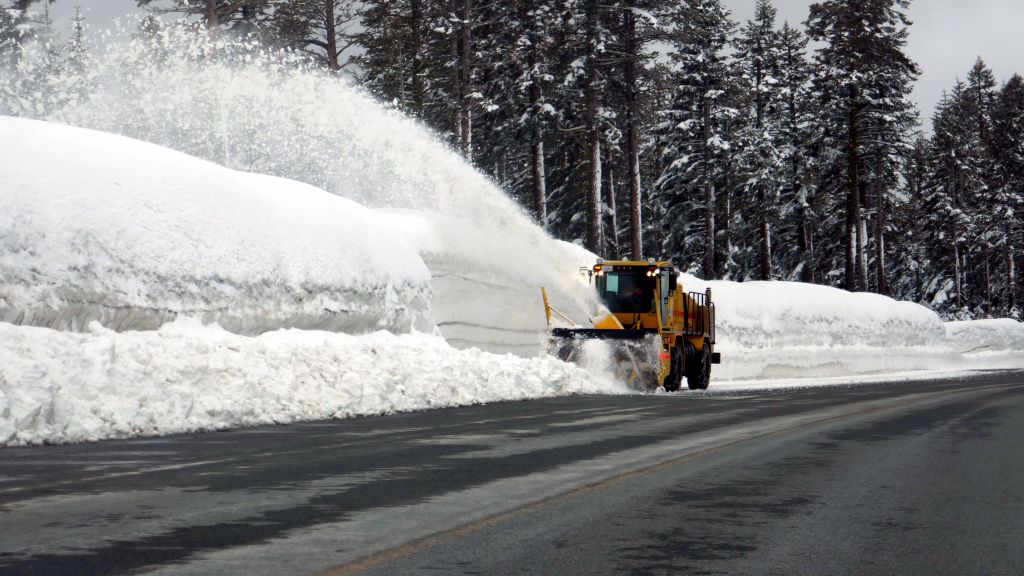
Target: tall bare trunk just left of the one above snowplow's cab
(593,203)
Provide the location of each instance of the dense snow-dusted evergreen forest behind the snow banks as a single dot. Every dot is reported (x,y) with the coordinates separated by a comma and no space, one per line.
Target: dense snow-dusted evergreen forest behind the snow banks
(743,151)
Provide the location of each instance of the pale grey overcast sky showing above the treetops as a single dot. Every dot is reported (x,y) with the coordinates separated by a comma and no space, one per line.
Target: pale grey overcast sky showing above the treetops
(946,39)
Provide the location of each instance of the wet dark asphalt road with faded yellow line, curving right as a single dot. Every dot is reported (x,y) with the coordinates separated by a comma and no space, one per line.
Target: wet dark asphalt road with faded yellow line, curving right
(899,478)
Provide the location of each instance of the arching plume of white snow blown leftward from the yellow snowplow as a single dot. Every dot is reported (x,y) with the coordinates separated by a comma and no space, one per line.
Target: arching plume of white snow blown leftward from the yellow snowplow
(272,112)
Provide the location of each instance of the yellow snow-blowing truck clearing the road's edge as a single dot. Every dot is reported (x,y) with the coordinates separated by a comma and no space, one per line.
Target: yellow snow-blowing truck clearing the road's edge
(657,333)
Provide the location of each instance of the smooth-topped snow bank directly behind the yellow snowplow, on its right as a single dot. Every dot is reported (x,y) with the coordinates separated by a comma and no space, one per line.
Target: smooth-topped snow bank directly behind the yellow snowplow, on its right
(785,331)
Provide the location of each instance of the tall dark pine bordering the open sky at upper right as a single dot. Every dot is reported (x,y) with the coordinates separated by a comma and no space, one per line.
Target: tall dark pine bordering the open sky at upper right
(867,78)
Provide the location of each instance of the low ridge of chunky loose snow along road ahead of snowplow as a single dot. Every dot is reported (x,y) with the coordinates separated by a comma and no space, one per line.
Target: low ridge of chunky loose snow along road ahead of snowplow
(63,387)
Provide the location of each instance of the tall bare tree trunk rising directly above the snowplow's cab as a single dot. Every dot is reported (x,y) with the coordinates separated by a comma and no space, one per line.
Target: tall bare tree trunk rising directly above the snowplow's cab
(632,138)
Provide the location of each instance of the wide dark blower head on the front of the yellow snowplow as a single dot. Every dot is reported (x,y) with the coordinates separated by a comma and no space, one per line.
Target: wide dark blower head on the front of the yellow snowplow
(634,355)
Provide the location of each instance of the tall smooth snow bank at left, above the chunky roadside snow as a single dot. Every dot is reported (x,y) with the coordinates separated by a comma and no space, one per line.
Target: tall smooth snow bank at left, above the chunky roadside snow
(96,227)
